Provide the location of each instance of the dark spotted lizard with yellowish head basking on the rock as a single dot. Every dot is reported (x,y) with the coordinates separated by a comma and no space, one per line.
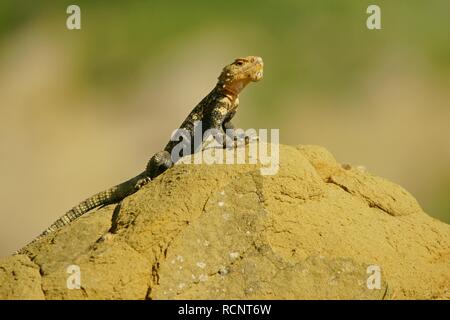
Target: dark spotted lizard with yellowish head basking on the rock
(215,111)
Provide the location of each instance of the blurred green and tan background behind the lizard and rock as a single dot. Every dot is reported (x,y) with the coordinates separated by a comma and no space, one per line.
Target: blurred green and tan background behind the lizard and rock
(82,110)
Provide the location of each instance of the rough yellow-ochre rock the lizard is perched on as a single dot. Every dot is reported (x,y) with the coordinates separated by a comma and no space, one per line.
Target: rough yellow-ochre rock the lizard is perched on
(225,231)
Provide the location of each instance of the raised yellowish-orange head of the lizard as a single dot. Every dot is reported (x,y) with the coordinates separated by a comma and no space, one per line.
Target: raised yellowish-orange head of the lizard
(237,75)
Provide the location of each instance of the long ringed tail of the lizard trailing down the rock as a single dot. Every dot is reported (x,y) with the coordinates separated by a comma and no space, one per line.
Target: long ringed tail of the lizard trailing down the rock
(112,195)
